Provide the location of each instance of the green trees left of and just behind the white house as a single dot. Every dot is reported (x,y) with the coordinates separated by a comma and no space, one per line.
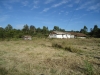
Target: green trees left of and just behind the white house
(10,32)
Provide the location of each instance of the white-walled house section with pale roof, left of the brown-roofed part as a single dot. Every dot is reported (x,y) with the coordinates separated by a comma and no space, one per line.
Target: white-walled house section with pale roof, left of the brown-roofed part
(58,34)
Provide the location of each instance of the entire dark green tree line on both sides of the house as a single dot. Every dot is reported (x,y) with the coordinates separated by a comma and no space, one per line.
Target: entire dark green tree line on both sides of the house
(10,32)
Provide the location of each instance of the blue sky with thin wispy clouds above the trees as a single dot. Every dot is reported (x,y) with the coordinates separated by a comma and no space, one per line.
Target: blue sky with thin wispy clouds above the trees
(67,14)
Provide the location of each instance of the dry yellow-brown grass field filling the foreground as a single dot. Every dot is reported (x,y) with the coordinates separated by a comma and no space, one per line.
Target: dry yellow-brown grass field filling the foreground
(50,57)
